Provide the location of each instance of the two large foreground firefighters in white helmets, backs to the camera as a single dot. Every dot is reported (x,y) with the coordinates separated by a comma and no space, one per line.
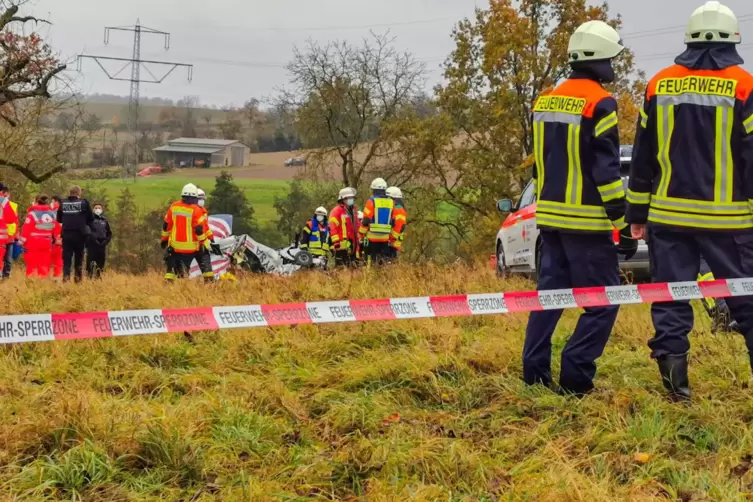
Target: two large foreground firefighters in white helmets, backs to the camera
(690,192)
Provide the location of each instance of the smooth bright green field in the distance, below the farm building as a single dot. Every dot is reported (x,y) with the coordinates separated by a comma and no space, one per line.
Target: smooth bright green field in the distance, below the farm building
(154,191)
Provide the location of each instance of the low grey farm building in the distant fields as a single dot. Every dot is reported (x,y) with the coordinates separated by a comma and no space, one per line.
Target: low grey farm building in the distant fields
(202,152)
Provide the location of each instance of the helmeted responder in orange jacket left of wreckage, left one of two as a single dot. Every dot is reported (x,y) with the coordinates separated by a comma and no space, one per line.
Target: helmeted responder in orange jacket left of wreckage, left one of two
(183,233)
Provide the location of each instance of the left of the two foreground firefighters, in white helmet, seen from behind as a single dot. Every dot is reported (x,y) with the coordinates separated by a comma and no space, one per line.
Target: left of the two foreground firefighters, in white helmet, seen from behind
(581,199)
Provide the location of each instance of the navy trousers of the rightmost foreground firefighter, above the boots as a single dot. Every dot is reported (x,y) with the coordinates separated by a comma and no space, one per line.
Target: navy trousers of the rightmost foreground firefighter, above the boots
(676,256)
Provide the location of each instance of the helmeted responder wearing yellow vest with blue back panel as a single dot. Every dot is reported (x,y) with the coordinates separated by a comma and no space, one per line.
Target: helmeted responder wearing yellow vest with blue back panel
(376,225)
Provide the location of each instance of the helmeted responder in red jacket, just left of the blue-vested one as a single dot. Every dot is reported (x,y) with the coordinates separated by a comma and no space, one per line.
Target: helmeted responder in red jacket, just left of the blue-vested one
(343,225)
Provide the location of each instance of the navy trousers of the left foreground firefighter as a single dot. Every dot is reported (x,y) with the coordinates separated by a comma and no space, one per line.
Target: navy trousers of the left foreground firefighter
(572,261)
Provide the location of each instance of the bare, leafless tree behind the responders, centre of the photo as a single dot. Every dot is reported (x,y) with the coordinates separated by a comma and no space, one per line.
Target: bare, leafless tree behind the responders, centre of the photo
(342,95)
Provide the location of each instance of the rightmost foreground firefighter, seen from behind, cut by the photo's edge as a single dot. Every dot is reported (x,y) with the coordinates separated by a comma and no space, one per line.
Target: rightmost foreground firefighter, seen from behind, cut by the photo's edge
(691,180)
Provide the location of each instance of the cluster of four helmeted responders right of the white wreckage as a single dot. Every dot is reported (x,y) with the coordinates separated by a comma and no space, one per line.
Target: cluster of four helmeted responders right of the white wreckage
(374,235)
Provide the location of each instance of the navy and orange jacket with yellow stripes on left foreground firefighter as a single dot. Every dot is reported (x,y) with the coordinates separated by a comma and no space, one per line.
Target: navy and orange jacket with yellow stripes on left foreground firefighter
(577,156)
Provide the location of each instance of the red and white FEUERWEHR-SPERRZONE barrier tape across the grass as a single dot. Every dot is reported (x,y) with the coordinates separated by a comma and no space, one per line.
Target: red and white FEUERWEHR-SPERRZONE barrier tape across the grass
(84,325)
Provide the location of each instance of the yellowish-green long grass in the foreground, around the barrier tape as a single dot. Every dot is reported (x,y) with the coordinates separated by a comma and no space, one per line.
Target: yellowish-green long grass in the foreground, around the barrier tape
(424,410)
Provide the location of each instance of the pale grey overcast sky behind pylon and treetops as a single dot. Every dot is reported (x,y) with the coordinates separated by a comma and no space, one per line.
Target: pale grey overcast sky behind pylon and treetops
(239,47)
